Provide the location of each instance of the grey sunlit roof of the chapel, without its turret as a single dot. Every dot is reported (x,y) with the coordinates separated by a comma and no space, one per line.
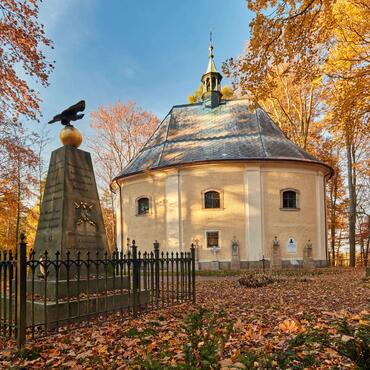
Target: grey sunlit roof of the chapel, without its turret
(196,133)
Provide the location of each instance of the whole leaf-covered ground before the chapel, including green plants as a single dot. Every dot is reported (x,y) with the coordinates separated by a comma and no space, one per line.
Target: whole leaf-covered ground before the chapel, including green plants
(298,321)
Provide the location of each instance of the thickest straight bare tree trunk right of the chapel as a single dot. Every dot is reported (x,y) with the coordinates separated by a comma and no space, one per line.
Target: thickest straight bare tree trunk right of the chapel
(351,208)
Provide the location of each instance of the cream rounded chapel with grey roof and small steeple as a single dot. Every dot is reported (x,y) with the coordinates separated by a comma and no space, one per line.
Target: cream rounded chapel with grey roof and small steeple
(217,173)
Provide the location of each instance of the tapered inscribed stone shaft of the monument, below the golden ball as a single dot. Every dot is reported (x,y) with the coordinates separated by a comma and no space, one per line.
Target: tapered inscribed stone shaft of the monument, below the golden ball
(71,217)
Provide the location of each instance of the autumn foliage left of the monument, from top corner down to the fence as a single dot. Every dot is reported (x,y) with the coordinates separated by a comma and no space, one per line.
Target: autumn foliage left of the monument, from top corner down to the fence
(22,46)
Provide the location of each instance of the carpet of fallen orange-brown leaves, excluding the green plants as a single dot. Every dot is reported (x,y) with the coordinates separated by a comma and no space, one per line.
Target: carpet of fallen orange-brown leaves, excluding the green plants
(264,320)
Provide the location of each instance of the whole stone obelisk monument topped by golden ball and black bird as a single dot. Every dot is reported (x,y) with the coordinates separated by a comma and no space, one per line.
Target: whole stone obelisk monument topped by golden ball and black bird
(71,221)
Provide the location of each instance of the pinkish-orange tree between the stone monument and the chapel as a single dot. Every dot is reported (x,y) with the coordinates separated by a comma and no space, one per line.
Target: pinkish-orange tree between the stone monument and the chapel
(120,131)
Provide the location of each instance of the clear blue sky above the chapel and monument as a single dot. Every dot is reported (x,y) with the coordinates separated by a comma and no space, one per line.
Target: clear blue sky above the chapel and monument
(150,51)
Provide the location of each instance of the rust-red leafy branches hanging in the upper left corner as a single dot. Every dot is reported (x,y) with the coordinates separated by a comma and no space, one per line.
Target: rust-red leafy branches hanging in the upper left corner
(21,40)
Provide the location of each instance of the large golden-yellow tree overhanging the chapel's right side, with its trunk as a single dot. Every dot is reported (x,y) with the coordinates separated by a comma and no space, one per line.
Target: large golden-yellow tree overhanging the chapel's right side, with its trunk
(313,55)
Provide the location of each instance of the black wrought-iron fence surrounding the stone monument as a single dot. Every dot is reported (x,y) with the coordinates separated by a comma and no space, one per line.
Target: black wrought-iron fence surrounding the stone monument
(39,294)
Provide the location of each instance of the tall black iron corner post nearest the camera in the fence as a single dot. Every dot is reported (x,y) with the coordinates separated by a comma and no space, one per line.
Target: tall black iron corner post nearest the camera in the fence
(21,292)
